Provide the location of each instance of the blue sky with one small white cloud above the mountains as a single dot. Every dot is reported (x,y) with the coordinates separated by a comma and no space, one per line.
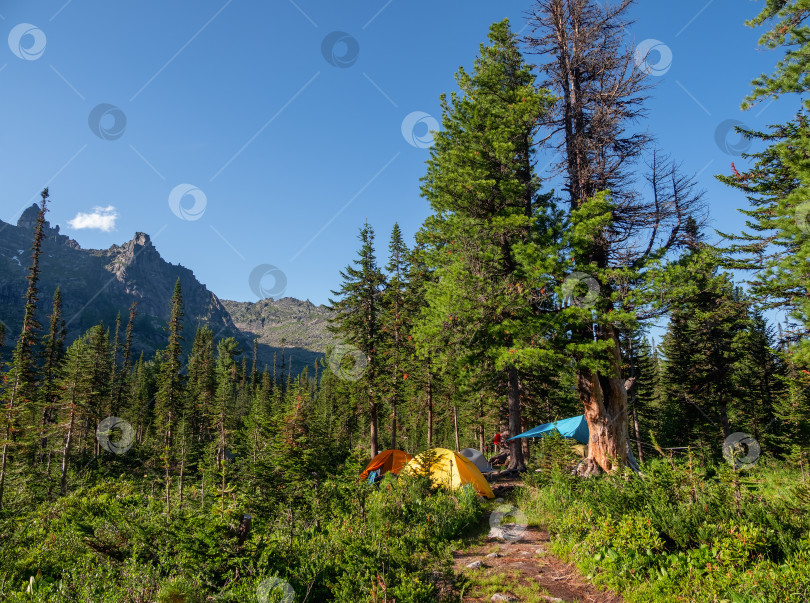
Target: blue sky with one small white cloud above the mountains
(121,108)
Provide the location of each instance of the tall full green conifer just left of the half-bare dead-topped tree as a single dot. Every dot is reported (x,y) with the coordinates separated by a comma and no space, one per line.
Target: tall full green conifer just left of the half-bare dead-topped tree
(481,185)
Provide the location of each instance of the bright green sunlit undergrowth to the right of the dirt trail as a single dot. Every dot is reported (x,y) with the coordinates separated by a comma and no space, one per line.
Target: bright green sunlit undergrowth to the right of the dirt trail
(682,531)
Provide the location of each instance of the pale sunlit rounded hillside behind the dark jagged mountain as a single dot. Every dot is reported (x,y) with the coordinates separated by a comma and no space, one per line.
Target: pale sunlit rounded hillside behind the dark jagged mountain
(297,323)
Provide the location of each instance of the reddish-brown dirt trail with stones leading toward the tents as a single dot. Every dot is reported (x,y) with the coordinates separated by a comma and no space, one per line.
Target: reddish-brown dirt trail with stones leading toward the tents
(525,571)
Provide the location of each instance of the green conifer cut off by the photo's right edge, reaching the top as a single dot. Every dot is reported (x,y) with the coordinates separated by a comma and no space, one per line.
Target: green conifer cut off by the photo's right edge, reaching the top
(776,242)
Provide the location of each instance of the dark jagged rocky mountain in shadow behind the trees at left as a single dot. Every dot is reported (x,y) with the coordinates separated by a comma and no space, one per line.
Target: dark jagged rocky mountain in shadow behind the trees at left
(97,284)
